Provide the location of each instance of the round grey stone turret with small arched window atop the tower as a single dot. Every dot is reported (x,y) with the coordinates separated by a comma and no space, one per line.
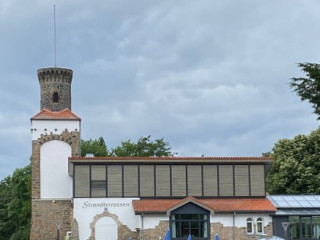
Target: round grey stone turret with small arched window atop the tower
(55,87)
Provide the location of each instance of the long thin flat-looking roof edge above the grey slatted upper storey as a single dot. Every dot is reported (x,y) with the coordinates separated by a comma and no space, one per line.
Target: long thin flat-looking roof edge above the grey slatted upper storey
(170,159)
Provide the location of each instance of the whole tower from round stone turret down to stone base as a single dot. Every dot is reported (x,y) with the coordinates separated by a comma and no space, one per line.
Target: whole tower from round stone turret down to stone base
(55,137)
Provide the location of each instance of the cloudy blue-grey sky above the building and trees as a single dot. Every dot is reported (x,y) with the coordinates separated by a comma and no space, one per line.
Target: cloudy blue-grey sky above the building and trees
(209,76)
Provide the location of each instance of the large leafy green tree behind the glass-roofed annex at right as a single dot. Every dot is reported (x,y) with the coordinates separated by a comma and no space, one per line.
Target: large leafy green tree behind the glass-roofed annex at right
(296,166)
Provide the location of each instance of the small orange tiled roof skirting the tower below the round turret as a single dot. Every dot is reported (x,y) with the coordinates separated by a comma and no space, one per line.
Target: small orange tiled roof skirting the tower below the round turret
(46,114)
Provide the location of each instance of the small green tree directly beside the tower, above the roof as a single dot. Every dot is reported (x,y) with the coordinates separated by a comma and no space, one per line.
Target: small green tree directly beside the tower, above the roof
(97,147)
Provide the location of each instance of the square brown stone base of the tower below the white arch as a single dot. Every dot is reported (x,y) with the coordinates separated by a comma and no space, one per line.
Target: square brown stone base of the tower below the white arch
(50,218)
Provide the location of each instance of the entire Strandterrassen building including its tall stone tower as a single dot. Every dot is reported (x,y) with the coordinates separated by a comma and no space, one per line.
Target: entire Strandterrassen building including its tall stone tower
(116,198)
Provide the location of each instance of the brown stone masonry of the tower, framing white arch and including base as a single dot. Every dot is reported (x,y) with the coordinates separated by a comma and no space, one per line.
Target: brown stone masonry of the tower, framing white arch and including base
(48,214)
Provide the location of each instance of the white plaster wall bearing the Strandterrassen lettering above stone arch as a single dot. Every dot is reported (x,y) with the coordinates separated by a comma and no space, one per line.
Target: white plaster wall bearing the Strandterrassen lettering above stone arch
(85,209)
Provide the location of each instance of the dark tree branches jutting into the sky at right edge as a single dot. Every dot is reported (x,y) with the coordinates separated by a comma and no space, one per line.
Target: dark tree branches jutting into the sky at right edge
(309,88)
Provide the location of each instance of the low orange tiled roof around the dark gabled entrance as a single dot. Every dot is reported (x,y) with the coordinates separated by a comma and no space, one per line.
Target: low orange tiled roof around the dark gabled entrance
(223,205)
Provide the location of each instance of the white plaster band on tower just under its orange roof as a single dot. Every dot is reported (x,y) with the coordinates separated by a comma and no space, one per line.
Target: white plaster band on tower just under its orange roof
(44,127)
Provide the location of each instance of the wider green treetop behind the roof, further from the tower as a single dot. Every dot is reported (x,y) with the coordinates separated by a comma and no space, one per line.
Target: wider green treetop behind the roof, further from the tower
(143,148)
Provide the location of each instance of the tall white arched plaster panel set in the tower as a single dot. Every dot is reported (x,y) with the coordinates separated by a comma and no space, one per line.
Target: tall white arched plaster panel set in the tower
(55,182)
